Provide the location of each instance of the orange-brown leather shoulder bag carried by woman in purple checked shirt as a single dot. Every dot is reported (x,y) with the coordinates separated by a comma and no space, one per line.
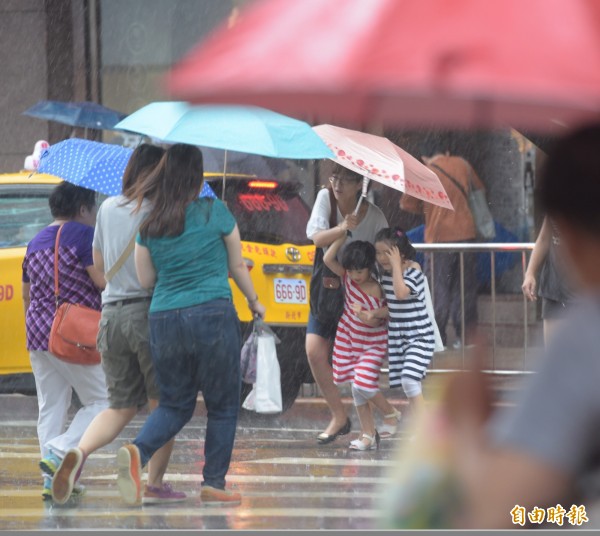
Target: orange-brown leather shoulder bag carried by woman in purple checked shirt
(74,328)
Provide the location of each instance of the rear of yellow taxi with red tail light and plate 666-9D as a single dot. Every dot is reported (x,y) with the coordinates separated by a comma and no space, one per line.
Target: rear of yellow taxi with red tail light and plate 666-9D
(272,218)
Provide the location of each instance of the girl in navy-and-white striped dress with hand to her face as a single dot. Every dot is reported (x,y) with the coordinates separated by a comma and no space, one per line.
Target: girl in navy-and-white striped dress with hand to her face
(411,340)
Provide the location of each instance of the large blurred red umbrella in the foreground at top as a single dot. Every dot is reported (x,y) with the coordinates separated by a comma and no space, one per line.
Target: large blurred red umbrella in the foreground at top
(532,64)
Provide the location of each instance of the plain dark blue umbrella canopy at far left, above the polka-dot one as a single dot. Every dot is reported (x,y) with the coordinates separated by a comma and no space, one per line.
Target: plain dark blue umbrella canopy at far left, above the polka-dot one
(77,114)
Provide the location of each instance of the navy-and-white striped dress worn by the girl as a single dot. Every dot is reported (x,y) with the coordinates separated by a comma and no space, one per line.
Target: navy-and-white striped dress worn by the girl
(410,331)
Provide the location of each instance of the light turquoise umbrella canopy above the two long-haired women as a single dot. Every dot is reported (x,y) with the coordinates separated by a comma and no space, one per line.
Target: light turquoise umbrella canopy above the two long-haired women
(246,129)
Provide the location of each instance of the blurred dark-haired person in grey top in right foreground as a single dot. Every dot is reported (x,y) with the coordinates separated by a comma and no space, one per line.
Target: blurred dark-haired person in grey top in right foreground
(535,464)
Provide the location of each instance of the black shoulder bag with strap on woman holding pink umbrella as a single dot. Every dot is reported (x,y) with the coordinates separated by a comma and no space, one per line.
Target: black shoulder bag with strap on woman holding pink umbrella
(326,290)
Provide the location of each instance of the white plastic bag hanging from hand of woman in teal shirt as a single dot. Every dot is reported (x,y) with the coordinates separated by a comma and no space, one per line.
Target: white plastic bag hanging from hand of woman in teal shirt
(265,396)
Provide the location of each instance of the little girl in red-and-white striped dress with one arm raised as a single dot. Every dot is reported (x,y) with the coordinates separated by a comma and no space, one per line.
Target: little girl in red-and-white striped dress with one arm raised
(361,338)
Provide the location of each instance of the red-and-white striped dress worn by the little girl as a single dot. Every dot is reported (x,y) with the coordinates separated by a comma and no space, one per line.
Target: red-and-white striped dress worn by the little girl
(359,349)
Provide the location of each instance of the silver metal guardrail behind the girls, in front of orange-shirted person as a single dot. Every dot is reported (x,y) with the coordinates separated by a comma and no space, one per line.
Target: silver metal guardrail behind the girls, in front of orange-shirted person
(492,248)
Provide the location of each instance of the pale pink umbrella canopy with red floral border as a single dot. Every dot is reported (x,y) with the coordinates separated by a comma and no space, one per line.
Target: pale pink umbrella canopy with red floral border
(381,160)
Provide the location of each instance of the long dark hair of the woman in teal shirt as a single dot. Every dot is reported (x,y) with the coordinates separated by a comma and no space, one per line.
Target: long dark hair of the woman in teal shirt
(173,184)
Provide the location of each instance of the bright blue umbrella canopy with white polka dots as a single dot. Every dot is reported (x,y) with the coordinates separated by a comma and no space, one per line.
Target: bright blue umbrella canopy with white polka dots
(92,164)
